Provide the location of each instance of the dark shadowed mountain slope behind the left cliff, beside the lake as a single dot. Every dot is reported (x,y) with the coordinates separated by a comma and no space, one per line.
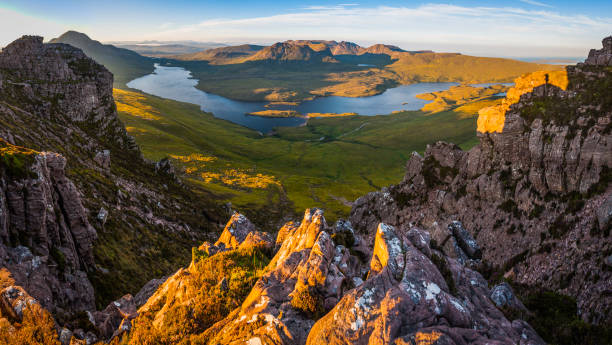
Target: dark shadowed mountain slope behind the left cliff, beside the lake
(125,64)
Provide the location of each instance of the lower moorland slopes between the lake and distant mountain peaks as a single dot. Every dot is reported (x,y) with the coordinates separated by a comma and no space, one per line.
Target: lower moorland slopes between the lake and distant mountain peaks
(299,80)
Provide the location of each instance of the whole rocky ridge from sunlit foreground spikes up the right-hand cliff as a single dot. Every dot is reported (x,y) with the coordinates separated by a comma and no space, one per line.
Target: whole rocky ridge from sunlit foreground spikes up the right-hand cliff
(438,257)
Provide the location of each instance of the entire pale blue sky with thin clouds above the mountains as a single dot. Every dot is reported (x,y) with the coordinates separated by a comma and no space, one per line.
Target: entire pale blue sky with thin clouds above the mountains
(511,28)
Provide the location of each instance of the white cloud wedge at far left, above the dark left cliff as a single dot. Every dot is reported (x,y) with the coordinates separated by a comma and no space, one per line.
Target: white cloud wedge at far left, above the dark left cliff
(14,25)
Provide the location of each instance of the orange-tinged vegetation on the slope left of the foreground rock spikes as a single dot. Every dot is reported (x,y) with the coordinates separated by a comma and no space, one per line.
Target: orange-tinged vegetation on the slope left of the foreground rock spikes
(201,300)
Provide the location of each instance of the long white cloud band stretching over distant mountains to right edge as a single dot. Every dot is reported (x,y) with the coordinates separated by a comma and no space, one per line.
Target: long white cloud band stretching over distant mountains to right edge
(483,29)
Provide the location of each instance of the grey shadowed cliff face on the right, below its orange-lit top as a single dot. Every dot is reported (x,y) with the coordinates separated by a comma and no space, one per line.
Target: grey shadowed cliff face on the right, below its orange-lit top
(535,195)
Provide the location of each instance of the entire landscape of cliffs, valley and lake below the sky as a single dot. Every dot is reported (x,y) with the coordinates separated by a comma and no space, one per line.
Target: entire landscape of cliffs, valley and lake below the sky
(301,192)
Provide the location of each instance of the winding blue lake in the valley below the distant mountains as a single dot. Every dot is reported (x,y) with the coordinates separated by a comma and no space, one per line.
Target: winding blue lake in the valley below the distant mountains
(177,83)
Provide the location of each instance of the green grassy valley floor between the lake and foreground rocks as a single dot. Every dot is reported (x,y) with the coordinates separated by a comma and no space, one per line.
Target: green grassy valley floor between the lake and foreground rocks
(316,165)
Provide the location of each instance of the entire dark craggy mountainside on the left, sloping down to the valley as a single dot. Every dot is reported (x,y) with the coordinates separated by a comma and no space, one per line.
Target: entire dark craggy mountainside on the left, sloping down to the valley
(84,218)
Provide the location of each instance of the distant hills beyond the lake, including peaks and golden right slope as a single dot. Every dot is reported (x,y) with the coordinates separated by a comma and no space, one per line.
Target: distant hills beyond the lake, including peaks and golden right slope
(300,70)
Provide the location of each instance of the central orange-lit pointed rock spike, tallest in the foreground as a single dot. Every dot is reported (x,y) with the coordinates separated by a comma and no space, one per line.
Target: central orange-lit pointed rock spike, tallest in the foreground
(308,268)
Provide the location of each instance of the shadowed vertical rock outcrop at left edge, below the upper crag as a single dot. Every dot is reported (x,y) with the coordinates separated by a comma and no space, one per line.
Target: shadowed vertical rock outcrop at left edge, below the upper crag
(46,241)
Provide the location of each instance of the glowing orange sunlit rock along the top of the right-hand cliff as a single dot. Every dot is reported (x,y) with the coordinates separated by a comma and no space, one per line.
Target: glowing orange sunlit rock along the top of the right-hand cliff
(491,119)
